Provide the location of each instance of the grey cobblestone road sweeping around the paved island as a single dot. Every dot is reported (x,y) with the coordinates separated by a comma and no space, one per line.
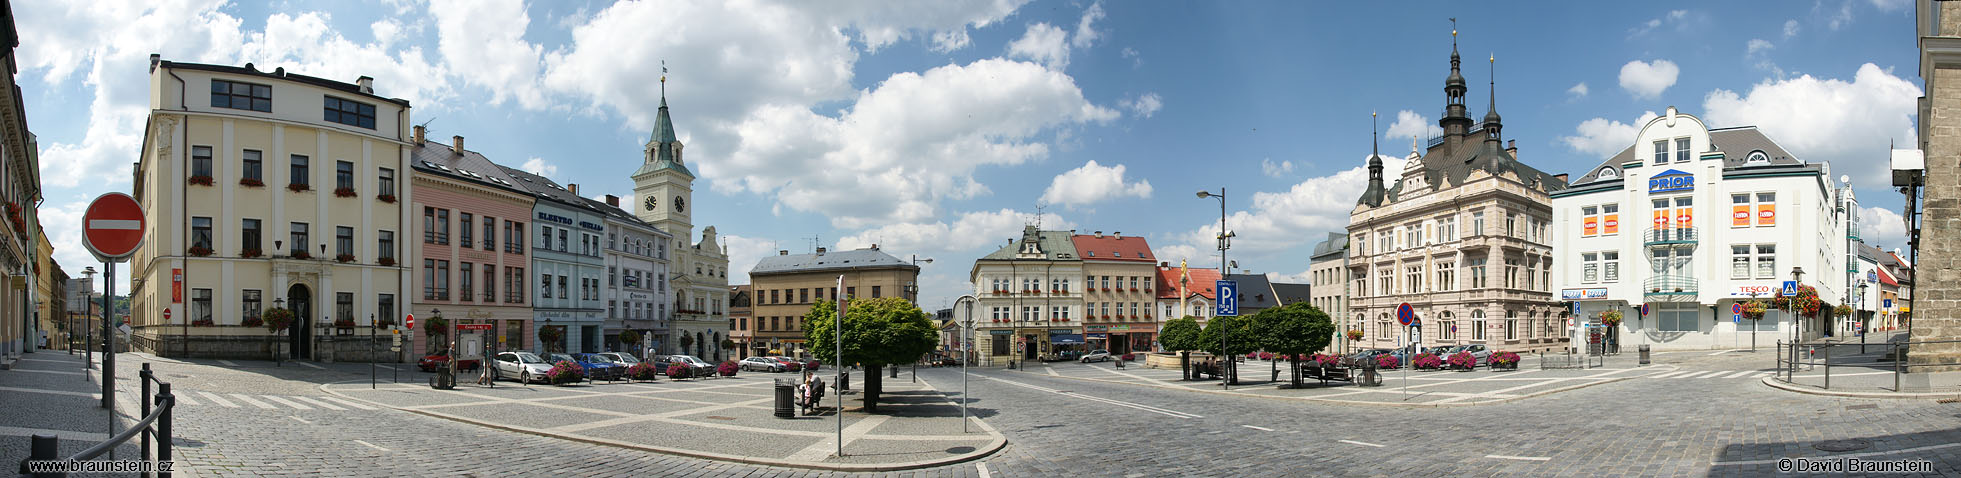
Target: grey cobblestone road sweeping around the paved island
(1078,428)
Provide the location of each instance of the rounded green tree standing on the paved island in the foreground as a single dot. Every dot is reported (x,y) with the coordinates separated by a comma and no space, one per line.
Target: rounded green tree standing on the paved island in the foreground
(876,334)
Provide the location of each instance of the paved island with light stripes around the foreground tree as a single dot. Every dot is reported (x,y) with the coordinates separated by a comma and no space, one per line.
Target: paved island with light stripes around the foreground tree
(721,420)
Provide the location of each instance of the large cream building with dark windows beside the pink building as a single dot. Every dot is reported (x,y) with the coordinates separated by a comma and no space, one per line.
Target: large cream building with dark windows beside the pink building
(266,191)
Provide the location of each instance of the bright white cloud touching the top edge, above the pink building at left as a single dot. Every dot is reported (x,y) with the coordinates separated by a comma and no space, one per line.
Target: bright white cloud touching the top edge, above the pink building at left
(487,40)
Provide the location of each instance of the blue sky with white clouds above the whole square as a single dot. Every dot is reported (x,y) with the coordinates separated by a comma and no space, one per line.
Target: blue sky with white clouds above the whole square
(942,128)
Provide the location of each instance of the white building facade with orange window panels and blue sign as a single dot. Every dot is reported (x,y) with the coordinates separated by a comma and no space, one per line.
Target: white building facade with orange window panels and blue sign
(1693,222)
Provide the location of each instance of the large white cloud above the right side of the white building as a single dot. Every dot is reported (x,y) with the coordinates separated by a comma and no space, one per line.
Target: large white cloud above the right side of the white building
(1848,124)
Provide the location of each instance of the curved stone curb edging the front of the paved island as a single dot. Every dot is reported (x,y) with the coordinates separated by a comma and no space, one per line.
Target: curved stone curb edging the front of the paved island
(983,452)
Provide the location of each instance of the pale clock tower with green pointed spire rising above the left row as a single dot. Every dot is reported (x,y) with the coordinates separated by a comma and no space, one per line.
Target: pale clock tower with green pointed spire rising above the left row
(664,183)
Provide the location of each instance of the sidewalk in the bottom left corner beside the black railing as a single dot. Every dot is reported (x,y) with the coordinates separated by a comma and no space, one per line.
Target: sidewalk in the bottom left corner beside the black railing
(48,395)
